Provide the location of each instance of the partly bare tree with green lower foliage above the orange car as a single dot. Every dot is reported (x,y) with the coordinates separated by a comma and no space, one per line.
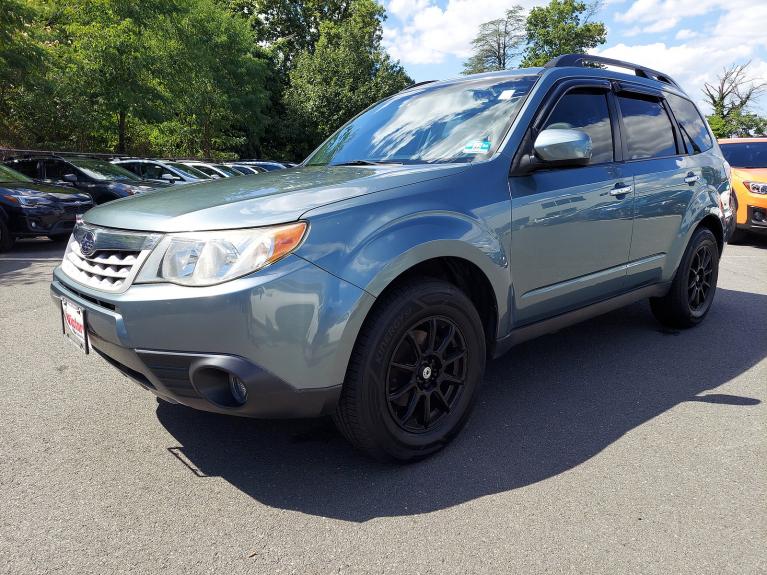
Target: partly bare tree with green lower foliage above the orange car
(730,97)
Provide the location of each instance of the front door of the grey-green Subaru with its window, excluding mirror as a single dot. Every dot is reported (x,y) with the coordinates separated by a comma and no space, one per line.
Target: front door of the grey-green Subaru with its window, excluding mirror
(571,227)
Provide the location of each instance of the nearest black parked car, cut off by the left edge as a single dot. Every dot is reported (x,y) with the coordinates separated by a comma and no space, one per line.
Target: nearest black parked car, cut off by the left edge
(29,209)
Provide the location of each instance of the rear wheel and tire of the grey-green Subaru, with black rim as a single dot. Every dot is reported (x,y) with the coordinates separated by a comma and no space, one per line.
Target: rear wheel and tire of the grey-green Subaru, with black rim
(694,286)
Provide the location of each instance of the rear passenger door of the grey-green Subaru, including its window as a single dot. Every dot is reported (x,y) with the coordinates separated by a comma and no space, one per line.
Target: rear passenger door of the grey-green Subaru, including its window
(665,180)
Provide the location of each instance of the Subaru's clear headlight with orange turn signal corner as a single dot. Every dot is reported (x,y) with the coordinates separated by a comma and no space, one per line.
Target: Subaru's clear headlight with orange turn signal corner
(209,258)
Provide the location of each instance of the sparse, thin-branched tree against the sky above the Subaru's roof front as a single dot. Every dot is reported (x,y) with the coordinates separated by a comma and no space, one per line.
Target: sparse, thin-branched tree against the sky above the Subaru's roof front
(497,43)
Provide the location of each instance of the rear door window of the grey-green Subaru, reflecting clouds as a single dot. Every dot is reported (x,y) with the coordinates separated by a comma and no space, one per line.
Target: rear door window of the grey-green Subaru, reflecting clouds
(649,132)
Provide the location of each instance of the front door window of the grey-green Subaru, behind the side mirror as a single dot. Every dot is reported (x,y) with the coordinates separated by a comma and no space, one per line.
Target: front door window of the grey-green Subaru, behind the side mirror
(586,110)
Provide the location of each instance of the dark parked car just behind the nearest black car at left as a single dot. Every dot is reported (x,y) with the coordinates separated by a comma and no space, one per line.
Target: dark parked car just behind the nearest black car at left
(100,179)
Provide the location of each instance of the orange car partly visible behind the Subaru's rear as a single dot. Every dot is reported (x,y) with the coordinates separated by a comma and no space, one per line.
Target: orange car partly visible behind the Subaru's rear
(748,159)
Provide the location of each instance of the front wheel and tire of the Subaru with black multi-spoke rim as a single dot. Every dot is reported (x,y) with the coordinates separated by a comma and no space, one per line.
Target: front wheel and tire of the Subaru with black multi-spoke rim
(399,372)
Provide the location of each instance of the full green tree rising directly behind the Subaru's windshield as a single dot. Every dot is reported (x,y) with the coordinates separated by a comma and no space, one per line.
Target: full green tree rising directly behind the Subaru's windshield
(347,71)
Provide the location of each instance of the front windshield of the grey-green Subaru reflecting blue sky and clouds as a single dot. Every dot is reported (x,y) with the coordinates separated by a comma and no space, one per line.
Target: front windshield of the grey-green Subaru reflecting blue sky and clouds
(459,122)
